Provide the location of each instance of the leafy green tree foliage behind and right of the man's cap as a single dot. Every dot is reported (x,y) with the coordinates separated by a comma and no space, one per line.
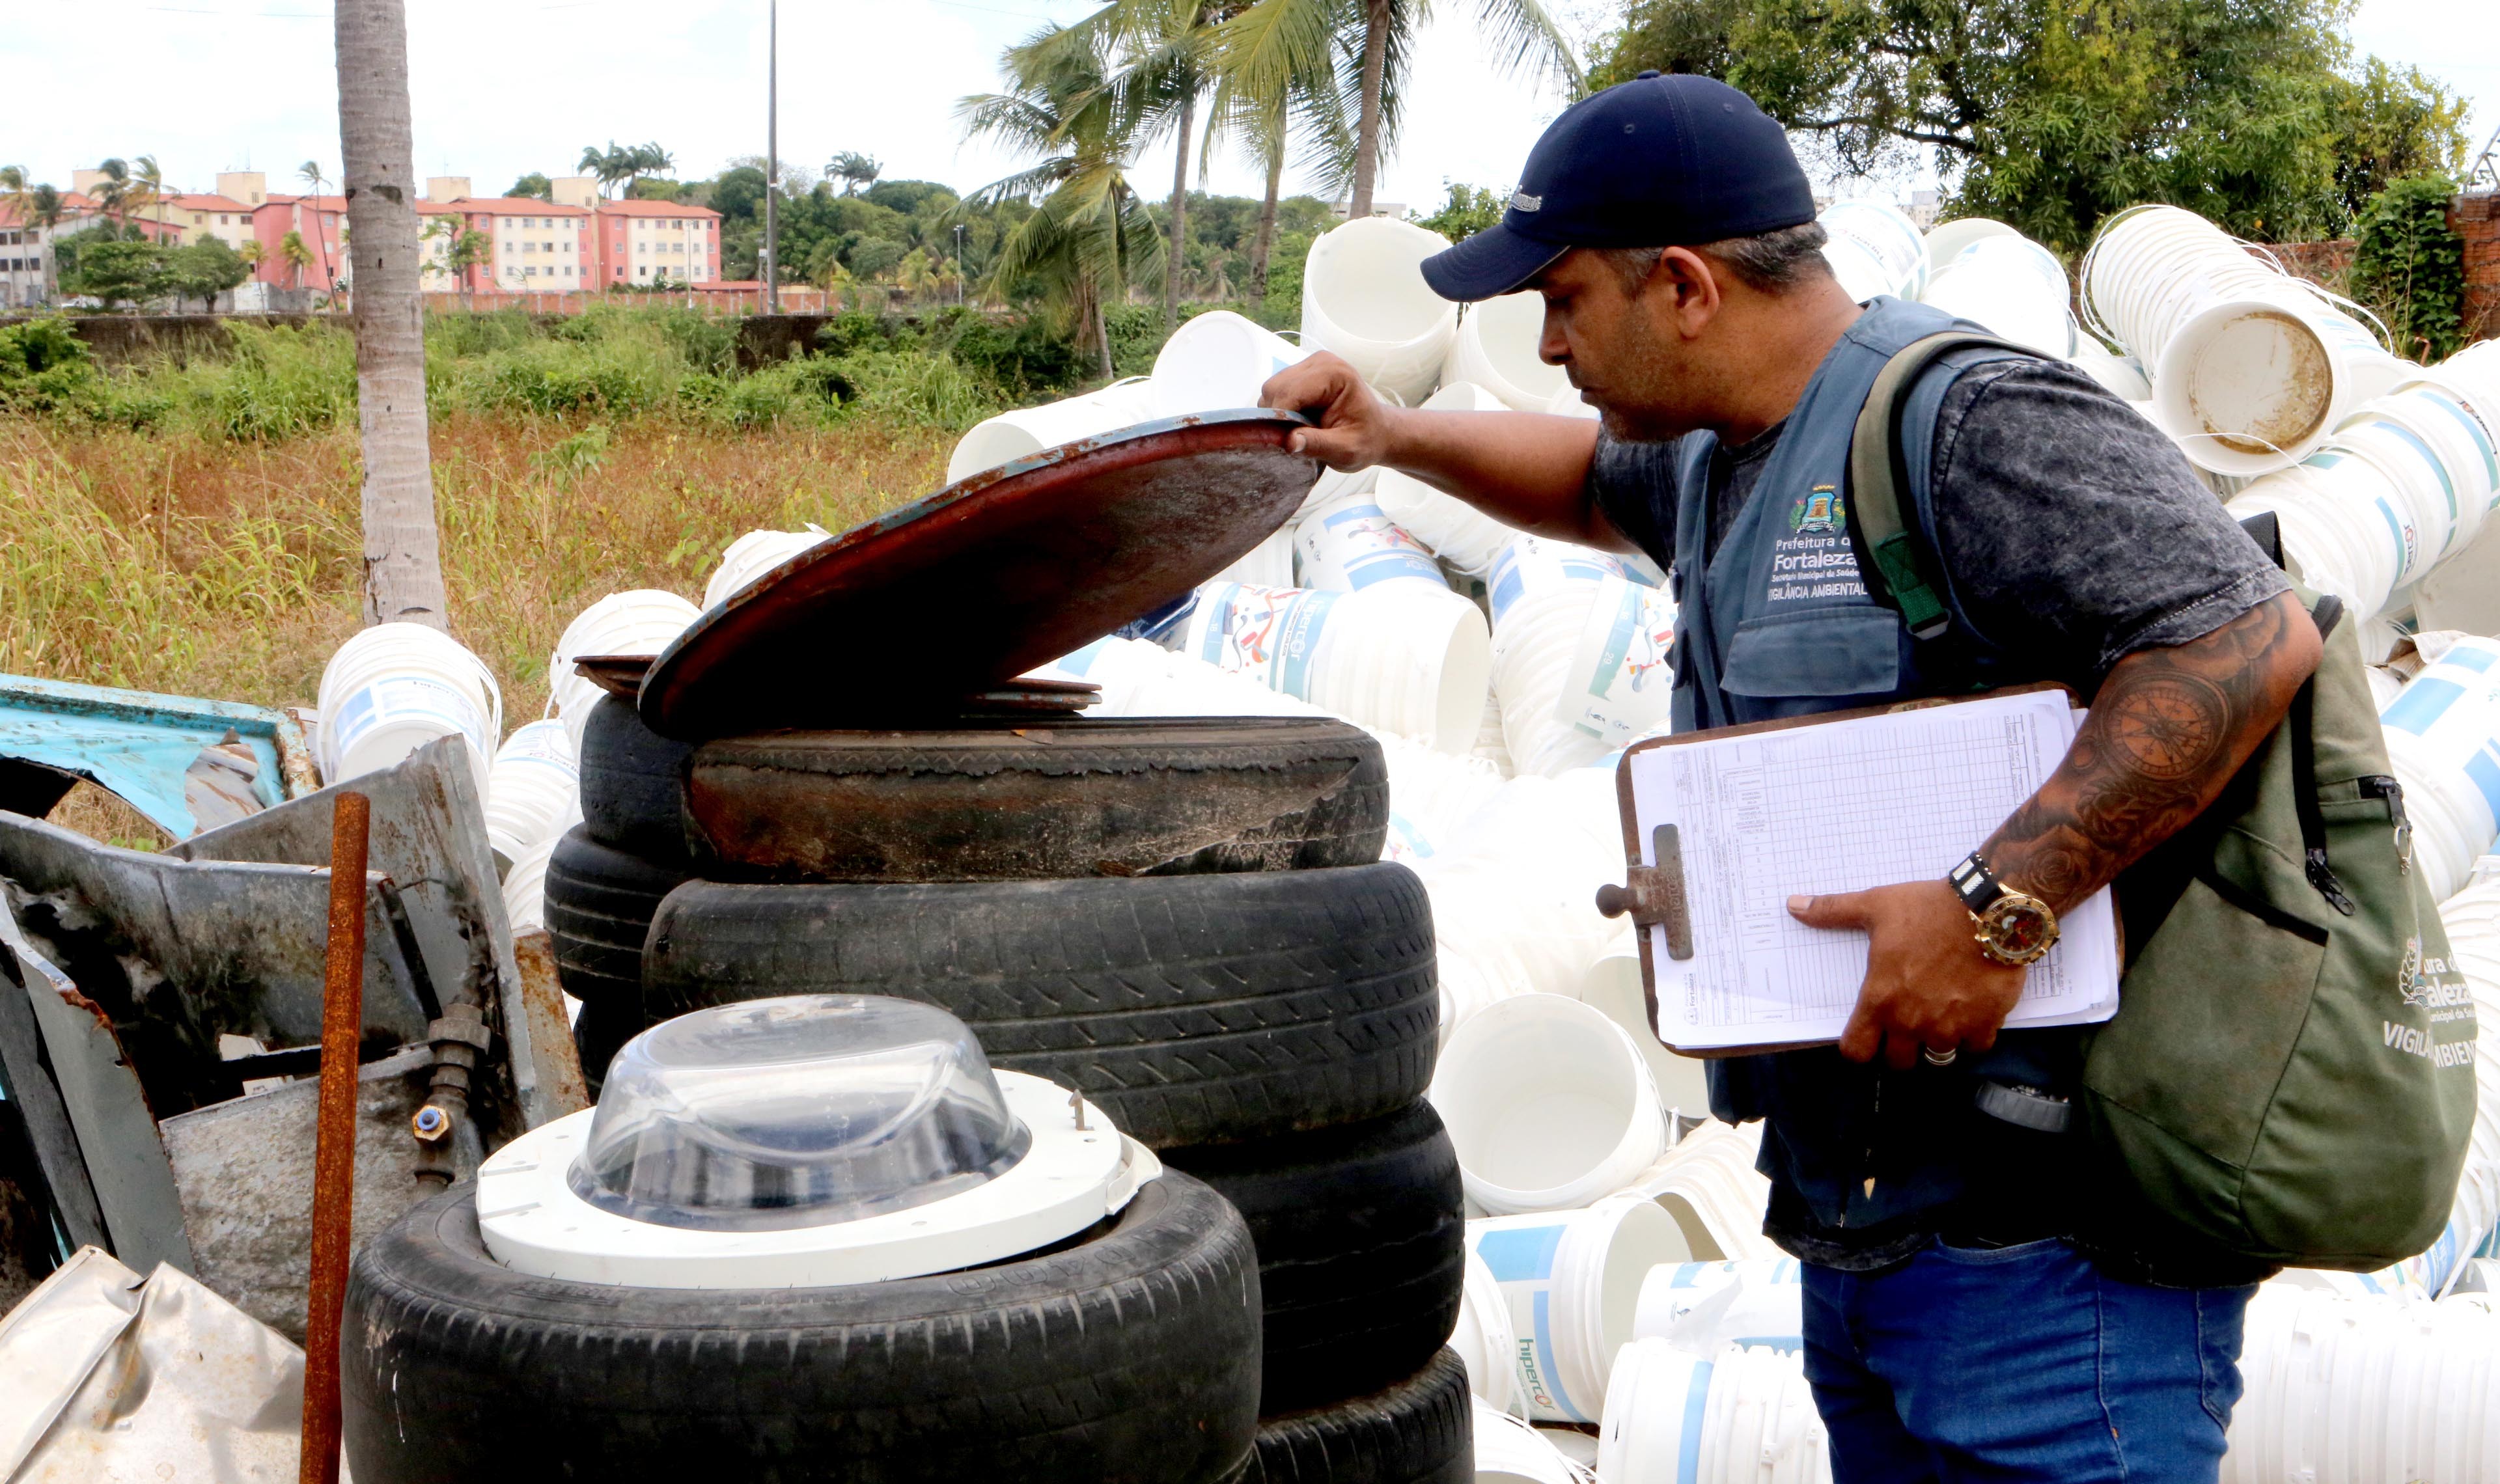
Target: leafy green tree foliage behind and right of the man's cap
(2054,114)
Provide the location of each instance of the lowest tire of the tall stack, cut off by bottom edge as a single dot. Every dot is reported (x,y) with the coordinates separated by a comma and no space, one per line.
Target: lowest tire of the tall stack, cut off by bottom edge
(1414,1433)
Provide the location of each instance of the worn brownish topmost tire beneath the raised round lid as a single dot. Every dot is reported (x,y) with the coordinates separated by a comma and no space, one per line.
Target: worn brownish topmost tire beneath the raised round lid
(1076,798)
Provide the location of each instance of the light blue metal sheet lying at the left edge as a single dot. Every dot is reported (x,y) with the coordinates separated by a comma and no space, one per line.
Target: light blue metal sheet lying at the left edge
(184,763)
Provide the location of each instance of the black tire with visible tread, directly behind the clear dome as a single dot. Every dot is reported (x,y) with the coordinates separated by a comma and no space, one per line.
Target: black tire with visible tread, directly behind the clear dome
(1194,1011)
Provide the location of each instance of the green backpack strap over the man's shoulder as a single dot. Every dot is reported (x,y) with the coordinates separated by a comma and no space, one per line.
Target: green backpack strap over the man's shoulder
(1894,553)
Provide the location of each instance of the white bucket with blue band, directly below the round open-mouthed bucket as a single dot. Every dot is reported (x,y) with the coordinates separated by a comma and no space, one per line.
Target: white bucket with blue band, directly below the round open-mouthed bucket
(1571,1283)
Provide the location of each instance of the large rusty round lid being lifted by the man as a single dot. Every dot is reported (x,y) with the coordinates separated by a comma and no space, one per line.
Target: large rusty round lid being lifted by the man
(984,581)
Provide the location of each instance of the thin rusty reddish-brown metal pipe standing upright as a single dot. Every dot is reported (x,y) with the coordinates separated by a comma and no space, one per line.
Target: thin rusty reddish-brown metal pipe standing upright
(334,1150)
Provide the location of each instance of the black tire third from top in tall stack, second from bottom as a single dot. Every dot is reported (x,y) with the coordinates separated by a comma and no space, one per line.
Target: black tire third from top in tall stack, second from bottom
(1361,1250)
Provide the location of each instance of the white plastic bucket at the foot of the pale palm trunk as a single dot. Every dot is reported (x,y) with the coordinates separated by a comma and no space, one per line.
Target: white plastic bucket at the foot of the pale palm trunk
(396,688)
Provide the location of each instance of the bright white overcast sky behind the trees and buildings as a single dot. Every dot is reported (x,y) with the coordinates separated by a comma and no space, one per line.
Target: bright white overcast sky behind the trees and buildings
(514,86)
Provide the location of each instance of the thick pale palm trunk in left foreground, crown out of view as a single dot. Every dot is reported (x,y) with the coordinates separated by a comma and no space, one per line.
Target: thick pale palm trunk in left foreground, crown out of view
(404,558)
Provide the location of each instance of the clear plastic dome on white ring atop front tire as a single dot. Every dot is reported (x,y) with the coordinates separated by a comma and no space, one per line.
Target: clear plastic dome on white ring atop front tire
(796,1113)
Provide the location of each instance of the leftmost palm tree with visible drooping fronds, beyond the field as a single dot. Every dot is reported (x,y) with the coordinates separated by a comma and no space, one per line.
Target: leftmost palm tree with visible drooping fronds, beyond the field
(1089,236)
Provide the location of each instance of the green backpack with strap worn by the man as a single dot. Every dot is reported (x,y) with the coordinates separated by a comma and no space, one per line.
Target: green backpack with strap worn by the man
(2289,1078)
